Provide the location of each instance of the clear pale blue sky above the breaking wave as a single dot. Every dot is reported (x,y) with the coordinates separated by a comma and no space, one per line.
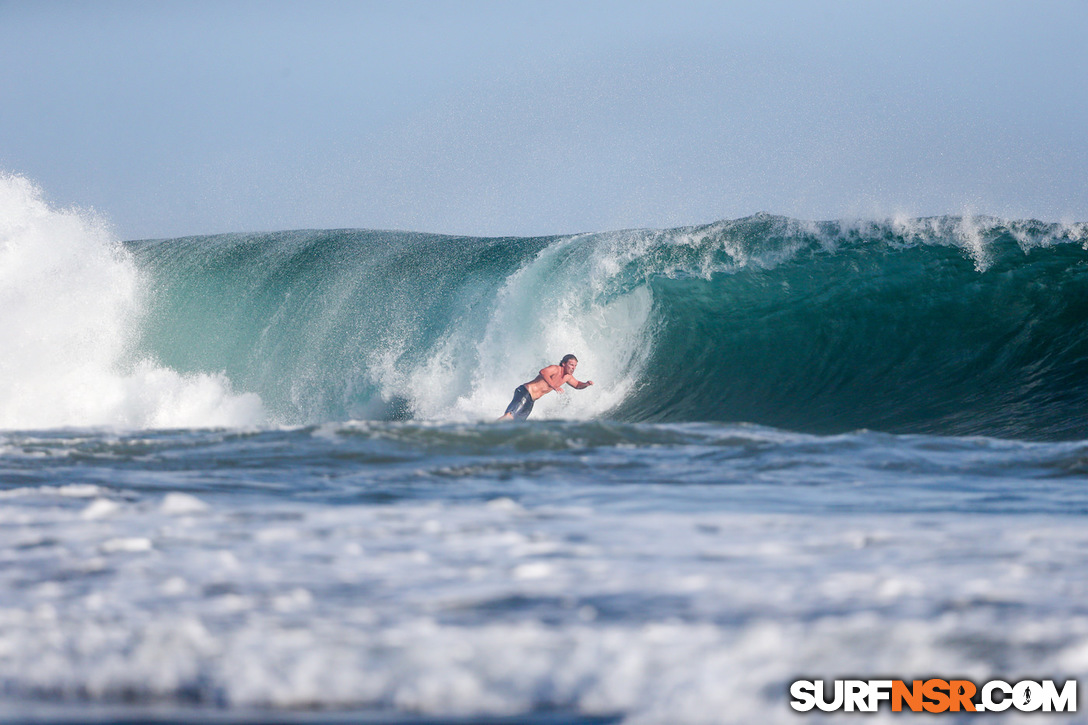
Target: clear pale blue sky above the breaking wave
(513,118)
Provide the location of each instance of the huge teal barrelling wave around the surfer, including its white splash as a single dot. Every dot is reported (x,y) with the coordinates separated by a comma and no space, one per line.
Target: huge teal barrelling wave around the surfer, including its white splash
(950,326)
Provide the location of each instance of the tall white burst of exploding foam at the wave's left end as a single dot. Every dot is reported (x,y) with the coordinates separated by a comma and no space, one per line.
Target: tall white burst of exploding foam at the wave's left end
(71,301)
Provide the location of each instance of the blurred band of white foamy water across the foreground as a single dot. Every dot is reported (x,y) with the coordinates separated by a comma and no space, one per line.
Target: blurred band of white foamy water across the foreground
(415,609)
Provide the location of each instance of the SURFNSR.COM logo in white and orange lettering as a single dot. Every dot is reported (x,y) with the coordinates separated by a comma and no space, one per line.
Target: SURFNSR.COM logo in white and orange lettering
(935,696)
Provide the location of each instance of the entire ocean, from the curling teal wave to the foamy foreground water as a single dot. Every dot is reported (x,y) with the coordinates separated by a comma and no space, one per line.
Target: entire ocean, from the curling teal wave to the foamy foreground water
(257,477)
